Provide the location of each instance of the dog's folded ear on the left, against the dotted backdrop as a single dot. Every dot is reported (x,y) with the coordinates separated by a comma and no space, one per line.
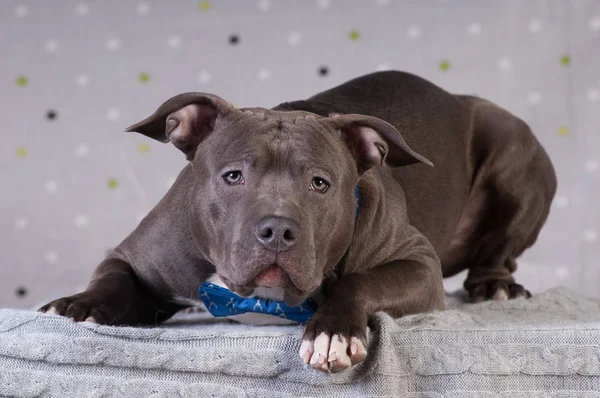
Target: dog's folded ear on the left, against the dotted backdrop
(185,120)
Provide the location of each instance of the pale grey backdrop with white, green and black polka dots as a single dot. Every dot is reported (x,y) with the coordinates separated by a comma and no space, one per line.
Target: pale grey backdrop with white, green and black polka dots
(74,74)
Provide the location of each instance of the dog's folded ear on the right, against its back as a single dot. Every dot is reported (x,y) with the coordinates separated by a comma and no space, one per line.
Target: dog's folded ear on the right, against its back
(375,142)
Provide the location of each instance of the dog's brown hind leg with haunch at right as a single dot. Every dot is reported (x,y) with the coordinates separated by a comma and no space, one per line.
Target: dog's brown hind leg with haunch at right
(515,184)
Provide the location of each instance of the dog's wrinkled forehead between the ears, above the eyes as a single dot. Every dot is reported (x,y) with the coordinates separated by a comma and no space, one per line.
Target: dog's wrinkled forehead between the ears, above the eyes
(278,138)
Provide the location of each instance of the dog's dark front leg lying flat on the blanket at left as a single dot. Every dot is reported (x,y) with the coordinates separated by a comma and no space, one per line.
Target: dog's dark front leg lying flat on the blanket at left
(115,297)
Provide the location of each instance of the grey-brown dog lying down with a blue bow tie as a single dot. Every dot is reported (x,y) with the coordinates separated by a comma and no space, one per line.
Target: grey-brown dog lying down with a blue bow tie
(335,197)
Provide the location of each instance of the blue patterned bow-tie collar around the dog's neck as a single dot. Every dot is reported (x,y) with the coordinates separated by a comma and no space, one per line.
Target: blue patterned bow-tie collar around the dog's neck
(222,302)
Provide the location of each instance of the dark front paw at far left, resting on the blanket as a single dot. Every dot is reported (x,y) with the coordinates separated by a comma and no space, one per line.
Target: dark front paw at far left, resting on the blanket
(85,306)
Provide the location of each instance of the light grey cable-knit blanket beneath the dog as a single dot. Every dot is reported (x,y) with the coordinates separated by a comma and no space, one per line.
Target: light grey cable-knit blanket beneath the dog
(547,346)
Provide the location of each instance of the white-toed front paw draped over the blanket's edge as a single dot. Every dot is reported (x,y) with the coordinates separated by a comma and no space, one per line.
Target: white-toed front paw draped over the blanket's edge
(333,343)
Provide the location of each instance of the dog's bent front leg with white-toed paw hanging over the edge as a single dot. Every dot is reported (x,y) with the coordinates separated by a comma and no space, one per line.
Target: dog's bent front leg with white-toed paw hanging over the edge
(335,337)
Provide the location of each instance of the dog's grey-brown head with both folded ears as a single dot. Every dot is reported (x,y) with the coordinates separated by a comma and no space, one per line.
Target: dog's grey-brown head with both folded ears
(273,199)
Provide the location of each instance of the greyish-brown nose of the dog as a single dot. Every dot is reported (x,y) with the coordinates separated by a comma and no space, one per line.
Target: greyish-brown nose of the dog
(277,233)
